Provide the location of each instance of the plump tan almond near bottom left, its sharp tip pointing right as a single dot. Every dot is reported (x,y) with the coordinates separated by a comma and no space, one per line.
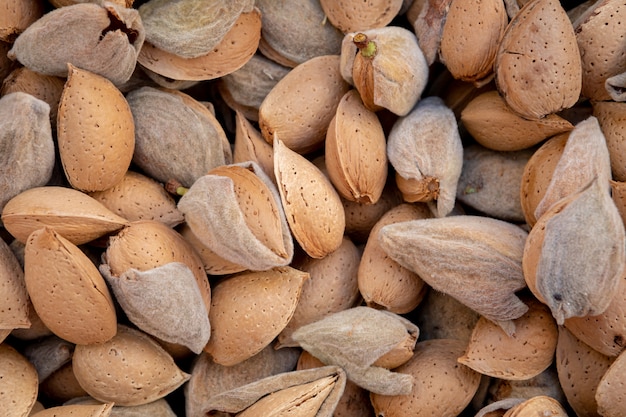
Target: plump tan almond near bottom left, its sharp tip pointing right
(129,369)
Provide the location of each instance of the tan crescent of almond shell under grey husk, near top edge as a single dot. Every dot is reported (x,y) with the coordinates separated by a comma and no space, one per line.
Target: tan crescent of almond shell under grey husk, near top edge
(231,53)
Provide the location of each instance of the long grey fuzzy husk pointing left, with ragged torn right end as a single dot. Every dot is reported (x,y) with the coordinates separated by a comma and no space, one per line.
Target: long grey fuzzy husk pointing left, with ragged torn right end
(439,250)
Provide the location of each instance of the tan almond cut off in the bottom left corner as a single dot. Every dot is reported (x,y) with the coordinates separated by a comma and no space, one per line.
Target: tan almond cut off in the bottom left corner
(19,385)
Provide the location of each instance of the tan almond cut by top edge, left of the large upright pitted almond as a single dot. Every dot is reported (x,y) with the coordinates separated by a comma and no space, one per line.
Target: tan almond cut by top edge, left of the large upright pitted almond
(470,38)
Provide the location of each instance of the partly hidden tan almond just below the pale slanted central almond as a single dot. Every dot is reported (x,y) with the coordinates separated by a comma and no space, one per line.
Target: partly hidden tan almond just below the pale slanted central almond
(333,287)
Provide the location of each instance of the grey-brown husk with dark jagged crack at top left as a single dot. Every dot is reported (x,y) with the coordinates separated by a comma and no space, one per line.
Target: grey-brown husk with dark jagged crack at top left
(104,39)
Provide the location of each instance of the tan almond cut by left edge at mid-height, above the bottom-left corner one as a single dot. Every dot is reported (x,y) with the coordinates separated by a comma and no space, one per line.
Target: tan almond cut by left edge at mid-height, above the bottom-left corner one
(13,294)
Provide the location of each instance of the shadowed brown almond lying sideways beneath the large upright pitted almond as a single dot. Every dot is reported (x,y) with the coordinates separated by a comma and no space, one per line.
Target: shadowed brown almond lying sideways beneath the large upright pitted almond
(495,126)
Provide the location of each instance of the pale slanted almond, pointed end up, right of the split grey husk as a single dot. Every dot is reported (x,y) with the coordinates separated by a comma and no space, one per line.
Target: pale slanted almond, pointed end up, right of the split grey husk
(312,206)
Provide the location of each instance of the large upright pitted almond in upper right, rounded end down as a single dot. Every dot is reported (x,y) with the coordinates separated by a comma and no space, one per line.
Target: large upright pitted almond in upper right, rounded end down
(537,67)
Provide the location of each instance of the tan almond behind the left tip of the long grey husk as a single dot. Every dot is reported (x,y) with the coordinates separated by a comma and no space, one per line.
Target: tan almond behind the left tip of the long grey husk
(383,283)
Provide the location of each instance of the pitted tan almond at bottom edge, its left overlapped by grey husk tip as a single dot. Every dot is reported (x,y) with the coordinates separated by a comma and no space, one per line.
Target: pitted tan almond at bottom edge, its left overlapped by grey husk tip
(441,386)
